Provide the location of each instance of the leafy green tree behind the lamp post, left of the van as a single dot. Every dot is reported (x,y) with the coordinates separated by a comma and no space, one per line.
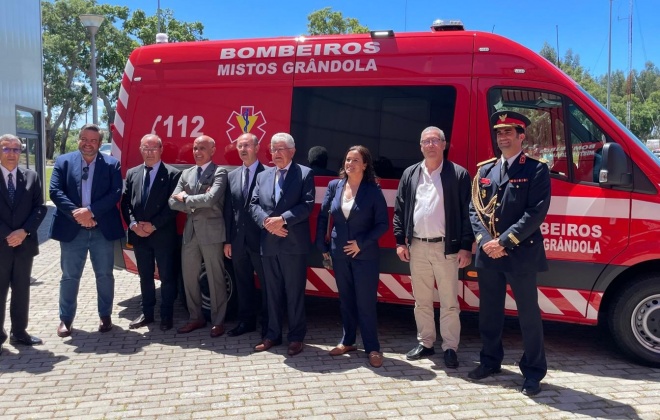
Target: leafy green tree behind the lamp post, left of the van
(67,58)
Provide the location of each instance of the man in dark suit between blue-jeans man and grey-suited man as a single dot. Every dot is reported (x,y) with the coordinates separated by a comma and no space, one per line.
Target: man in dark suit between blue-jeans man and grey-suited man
(152,229)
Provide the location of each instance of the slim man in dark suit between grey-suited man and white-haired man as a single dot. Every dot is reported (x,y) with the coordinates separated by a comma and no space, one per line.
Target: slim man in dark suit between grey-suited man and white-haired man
(242,243)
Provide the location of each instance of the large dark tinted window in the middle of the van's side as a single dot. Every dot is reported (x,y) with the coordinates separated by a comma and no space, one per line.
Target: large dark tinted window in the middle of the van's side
(386,119)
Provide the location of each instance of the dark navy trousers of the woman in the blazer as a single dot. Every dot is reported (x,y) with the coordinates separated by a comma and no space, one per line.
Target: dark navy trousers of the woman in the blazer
(357,282)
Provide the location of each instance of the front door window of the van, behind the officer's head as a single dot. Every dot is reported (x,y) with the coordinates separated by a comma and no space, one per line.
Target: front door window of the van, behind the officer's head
(545,138)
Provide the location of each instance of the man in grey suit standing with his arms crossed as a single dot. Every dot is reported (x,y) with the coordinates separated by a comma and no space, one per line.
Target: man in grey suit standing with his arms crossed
(200,194)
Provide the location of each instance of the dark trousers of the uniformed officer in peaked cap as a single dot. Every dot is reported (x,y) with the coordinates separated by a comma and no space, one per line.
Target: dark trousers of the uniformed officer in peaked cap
(492,295)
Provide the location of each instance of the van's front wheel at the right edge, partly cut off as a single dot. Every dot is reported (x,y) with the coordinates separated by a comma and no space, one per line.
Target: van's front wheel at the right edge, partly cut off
(634,320)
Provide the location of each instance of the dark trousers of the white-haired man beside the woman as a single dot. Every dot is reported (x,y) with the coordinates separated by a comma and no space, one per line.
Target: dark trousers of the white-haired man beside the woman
(286,276)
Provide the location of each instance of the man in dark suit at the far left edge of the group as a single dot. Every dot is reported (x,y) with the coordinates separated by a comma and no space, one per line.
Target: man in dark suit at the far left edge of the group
(21,212)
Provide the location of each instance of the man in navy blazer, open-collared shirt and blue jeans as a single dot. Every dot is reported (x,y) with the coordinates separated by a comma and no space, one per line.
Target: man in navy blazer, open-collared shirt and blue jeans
(86,187)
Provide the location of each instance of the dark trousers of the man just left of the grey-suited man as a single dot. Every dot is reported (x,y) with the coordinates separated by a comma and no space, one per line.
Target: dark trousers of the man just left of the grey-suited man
(147,257)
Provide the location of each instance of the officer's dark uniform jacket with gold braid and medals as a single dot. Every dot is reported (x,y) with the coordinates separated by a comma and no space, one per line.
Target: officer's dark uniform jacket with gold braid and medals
(521,202)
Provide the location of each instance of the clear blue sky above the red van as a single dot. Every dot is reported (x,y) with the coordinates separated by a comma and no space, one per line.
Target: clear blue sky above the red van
(582,25)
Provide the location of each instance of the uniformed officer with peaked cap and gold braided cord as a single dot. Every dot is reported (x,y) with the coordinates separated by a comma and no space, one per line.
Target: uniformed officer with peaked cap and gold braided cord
(510,198)
